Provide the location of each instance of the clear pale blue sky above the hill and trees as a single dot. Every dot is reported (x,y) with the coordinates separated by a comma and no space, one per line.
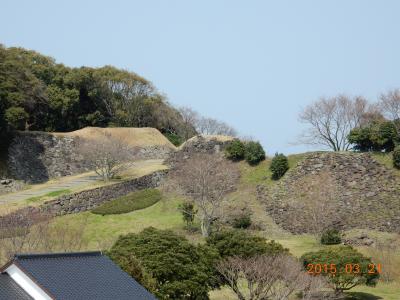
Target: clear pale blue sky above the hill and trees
(253,64)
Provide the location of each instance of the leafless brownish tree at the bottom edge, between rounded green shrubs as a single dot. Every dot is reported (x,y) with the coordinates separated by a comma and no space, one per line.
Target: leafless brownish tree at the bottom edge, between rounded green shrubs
(268,277)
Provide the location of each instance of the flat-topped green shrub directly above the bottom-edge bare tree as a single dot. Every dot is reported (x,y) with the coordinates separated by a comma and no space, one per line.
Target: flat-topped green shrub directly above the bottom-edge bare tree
(239,243)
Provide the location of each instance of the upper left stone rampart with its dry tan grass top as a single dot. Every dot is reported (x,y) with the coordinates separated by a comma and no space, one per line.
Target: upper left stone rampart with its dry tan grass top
(39,156)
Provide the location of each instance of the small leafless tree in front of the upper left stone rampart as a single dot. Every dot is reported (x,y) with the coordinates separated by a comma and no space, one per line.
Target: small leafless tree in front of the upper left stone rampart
(107,156)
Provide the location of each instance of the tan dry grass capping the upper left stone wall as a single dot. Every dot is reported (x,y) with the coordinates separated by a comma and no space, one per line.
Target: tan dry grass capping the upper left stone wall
(135,137)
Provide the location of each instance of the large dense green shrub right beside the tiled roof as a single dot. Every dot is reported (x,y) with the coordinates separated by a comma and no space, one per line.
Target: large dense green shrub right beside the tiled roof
(181,270)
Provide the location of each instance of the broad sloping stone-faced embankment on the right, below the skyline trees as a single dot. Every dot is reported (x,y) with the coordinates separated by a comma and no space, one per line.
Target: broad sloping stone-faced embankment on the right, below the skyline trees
(346,190)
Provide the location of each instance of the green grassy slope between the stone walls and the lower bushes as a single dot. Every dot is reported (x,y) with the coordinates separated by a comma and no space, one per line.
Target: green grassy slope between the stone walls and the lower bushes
(101,231)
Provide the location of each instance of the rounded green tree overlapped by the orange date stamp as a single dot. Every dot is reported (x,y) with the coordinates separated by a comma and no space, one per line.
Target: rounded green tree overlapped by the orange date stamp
(346,267)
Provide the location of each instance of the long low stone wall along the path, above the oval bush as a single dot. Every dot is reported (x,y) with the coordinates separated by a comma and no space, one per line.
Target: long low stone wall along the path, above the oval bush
(87,200)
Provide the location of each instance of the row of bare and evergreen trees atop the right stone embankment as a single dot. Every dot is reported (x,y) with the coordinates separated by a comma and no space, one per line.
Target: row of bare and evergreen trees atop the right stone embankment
(341,123)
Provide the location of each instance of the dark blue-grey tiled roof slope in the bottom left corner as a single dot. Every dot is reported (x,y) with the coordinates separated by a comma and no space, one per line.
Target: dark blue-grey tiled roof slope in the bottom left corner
(85,275)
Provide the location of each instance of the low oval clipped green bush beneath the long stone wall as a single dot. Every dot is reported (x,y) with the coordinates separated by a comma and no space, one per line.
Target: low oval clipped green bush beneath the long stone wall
(133,201)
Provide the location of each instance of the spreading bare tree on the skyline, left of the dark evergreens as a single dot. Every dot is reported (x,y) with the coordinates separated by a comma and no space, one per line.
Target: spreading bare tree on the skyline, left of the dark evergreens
(331,120)
